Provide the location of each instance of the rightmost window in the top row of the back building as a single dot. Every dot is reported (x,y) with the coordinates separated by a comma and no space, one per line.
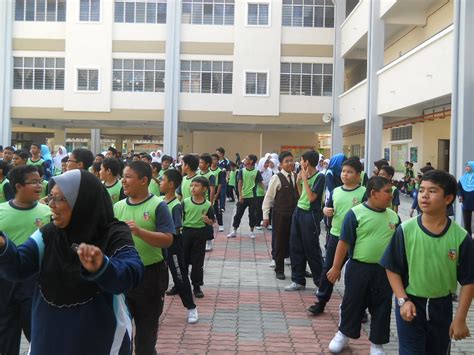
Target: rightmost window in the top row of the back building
(308,13)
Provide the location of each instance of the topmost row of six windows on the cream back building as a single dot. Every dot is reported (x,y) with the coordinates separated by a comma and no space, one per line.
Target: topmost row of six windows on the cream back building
(296,13)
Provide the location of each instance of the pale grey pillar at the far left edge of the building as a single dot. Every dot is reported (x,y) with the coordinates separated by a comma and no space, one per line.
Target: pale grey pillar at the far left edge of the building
(6,24)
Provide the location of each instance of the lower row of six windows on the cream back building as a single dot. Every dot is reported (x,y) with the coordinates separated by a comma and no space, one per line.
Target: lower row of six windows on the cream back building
(197,76)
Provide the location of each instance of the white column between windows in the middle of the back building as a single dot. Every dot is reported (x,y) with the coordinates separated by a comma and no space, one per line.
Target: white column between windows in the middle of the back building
(172,66)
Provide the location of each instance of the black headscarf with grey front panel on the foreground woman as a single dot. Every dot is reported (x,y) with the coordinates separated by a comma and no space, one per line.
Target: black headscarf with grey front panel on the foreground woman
(92,222)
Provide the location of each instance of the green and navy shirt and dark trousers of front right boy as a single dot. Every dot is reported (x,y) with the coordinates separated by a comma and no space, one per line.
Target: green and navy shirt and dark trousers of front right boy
(430,265)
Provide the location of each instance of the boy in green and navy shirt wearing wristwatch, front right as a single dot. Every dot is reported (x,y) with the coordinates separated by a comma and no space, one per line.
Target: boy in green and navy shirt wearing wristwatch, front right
(427,257)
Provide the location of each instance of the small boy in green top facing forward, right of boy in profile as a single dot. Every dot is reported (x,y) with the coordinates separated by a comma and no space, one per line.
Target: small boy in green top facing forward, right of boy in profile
(197,215)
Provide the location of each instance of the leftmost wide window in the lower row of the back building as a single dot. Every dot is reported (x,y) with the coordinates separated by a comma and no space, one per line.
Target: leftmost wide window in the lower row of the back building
(38,73)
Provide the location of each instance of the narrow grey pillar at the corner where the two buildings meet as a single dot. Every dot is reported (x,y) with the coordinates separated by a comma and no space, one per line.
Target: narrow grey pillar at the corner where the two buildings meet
(338,77)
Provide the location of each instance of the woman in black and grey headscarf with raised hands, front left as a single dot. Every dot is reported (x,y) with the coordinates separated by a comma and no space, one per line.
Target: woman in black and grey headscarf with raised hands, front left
(85,260)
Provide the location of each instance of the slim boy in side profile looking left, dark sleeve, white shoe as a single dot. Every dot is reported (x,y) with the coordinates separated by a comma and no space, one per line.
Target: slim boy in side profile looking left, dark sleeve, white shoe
(175,255)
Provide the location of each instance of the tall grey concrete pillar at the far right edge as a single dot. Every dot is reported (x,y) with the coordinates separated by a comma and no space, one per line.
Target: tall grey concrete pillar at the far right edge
(462,122)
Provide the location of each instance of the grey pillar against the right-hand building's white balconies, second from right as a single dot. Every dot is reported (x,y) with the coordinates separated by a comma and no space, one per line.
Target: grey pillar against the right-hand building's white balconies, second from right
(375,51)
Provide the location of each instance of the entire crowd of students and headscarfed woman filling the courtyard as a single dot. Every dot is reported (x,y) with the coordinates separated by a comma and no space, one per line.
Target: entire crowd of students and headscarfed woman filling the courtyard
(103,261)
